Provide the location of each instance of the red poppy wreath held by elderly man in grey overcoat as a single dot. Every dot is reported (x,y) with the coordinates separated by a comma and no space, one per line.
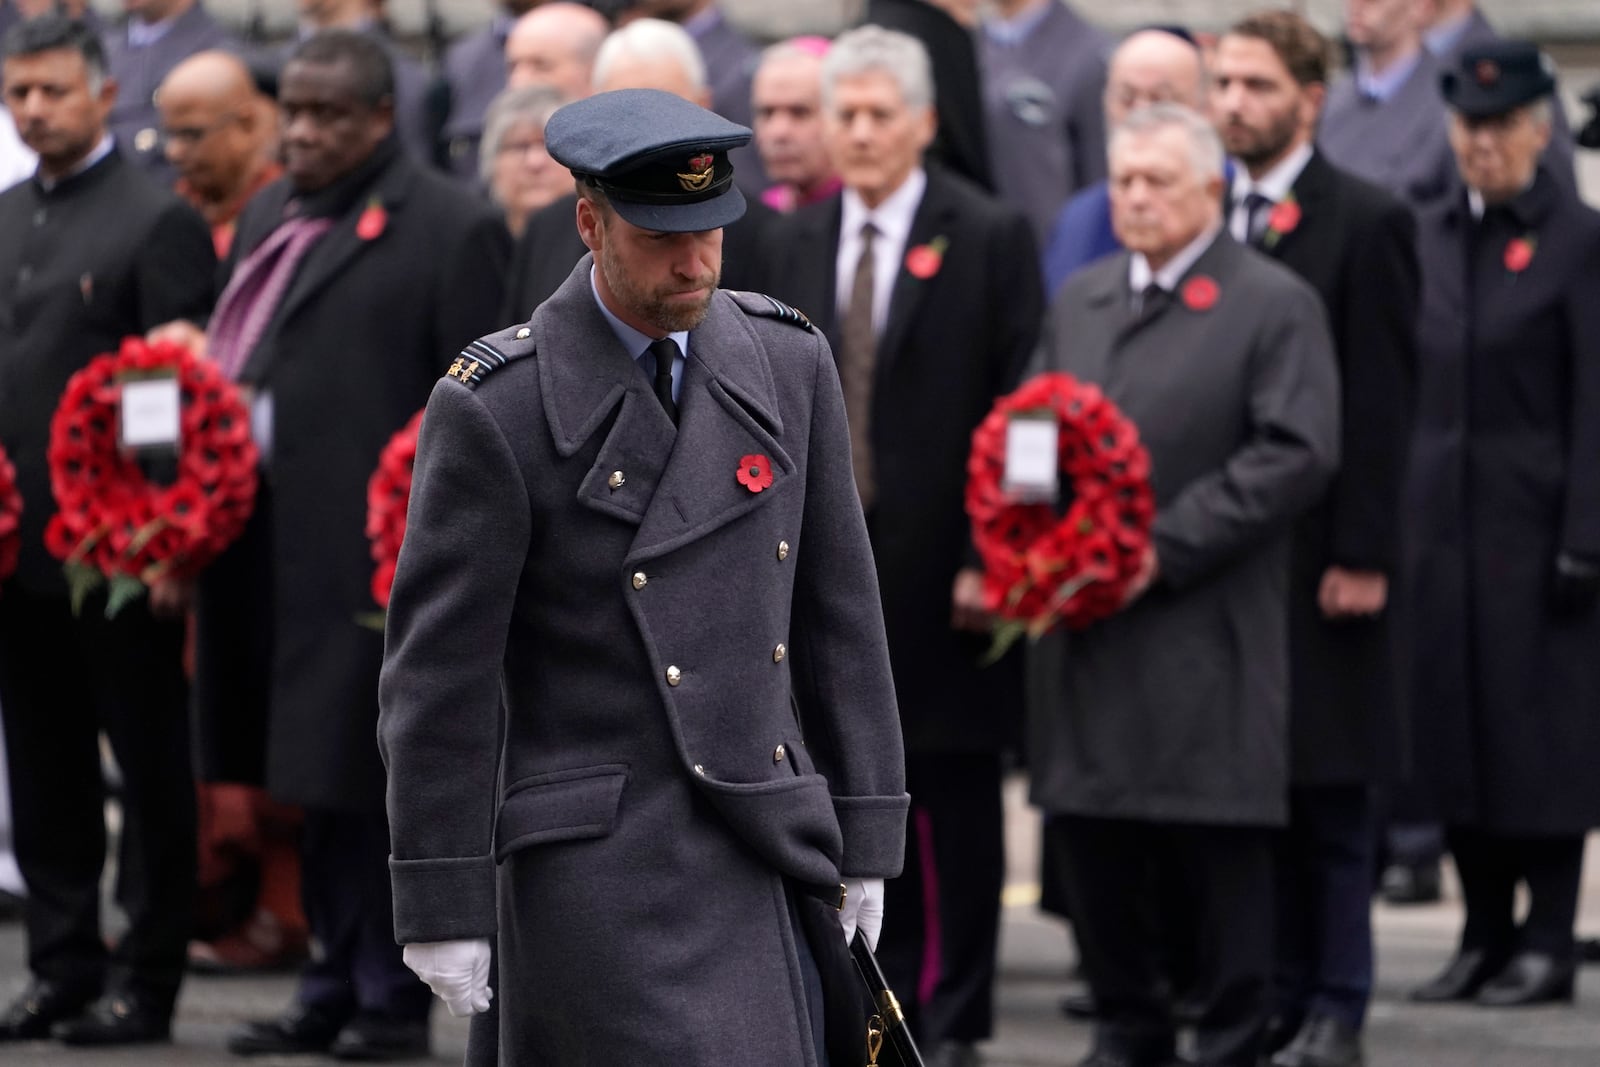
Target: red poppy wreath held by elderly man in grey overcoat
(1046,567)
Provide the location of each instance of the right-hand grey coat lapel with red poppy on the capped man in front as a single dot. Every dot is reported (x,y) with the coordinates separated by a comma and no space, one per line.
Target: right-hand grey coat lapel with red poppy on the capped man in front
(727,410)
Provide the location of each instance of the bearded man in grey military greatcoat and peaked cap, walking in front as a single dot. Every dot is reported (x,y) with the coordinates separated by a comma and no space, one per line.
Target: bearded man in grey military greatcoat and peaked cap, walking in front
(665,722)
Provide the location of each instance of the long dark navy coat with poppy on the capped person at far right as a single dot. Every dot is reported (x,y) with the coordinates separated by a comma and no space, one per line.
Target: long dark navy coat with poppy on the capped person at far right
(1503,478)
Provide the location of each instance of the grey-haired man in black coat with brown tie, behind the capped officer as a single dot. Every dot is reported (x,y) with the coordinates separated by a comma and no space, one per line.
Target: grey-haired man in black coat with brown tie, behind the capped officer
(930,294)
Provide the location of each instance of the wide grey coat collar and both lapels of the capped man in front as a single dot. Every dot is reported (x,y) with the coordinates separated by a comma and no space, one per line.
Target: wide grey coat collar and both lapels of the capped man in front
(679,482)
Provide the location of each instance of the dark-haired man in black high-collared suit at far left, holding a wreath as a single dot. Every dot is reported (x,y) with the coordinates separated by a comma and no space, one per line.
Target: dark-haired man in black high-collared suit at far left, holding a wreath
(92,250)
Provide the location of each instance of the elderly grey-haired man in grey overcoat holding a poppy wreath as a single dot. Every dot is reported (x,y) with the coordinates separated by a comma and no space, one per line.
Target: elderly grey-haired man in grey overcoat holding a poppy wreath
(1159,738)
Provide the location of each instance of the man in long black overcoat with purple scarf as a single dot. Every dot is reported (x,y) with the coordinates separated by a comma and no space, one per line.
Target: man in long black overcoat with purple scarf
(380,266)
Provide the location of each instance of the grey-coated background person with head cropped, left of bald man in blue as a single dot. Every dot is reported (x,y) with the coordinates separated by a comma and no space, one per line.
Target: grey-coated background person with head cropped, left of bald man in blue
(1044,71)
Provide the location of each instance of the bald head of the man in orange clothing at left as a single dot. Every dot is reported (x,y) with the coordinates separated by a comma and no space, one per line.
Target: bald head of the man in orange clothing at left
(220,129)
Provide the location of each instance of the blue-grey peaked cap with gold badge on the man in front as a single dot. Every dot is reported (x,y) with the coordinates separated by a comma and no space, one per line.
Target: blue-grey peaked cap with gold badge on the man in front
(662,161)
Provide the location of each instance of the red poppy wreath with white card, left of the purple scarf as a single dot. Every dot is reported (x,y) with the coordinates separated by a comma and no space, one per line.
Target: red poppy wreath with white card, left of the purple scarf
(114,526)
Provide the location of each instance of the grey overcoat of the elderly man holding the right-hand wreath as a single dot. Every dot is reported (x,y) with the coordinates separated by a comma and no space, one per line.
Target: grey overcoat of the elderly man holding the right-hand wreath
(1177,711)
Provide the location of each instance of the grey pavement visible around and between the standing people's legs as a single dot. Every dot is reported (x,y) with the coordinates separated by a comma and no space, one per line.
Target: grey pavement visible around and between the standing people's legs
(1036,957)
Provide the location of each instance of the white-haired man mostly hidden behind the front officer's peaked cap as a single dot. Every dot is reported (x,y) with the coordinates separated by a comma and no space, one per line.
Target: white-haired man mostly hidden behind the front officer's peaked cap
(646,55)
